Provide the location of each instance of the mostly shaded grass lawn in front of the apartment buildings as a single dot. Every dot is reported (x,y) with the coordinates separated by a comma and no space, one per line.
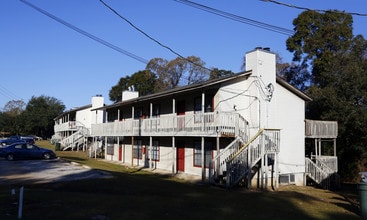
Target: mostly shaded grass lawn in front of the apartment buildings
(138,194)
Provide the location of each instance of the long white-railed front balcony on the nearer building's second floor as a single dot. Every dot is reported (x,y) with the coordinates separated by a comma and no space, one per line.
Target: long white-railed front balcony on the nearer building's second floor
(202,124)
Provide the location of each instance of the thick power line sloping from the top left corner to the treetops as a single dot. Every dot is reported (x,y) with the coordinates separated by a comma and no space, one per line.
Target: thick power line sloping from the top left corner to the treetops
(93,37)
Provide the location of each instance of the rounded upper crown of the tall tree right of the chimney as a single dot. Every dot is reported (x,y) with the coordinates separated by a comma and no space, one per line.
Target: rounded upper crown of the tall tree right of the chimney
(318,39)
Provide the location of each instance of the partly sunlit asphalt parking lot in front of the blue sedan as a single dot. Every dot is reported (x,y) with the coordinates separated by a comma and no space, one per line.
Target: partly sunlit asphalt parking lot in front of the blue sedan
(21,172)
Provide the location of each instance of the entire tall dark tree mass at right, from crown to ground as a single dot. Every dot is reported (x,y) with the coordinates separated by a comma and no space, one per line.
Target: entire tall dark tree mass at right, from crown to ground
(338,83)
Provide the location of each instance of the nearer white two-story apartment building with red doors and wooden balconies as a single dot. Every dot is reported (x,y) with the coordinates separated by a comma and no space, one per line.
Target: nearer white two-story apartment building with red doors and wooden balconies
(248,128)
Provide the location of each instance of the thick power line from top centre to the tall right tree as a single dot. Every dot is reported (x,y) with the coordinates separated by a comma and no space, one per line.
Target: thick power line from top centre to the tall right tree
(241,19)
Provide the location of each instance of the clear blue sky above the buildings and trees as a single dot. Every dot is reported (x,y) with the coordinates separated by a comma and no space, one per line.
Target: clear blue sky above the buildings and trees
(39,56)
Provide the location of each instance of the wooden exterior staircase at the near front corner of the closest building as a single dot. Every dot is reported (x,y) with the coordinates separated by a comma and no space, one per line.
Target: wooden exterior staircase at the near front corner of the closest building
(241,159)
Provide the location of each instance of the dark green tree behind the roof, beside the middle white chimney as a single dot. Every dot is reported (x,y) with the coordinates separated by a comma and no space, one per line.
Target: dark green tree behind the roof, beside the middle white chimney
(143,82)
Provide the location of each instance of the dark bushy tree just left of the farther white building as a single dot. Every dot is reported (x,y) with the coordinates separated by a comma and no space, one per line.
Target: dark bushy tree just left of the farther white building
(39,114)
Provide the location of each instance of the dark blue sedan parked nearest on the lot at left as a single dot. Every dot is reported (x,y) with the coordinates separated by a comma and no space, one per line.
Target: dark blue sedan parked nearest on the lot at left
(25,151)
